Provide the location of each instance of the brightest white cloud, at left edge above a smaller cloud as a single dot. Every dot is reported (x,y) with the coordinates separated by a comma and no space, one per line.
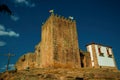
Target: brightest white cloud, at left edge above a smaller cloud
(10,33)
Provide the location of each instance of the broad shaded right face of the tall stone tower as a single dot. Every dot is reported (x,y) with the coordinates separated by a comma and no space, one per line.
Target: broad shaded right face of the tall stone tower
(66,50)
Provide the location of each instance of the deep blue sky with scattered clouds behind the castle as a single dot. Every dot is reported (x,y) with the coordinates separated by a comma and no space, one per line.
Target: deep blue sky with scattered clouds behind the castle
(96,20)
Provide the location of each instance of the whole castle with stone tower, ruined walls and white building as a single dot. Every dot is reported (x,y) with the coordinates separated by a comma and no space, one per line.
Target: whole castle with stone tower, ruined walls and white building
(59,49)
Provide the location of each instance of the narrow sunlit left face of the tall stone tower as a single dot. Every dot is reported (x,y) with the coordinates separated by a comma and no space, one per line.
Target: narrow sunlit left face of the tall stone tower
(46,45)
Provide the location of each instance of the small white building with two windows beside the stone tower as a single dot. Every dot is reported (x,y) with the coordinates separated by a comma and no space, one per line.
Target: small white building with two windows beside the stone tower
(101,56)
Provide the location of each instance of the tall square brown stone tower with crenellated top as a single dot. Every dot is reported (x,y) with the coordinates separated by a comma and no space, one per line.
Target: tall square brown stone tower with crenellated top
(59,44)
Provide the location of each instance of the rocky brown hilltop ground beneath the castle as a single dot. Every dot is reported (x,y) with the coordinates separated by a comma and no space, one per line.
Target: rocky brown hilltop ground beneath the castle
(62,74)
